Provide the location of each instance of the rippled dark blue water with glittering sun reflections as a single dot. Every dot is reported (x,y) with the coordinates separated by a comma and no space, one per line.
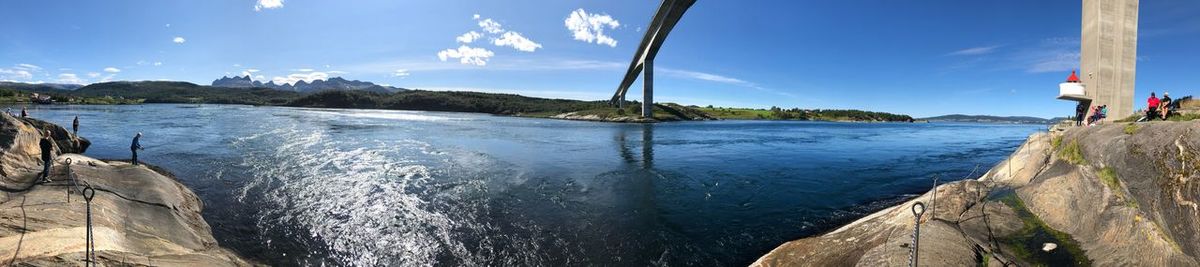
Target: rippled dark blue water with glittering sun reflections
(373,188)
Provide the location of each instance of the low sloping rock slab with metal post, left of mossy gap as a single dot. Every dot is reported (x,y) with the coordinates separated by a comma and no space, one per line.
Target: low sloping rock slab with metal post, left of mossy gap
(955,230)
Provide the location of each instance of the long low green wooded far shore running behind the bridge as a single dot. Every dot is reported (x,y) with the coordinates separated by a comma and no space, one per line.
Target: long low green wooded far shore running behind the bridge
(423,100)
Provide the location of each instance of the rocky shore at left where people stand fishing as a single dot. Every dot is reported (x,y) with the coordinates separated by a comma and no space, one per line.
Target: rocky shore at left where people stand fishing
(140,217)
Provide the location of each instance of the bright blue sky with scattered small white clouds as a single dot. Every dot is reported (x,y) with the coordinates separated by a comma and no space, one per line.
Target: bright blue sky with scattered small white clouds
(919,58)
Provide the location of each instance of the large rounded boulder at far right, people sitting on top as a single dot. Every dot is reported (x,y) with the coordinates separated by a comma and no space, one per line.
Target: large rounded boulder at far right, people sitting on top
(1130,198)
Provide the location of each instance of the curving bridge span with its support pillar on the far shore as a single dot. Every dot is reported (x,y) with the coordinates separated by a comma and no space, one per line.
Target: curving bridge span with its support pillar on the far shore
(670,13)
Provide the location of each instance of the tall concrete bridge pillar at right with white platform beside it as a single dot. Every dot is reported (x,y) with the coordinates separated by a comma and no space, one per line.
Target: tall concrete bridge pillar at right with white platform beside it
(1108,57)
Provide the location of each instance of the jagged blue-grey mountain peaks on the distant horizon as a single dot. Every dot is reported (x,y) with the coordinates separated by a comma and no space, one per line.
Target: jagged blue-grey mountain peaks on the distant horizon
(335,84)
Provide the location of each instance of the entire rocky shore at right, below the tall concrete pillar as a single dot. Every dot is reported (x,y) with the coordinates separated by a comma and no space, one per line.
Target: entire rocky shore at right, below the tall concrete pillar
(1112,195)
